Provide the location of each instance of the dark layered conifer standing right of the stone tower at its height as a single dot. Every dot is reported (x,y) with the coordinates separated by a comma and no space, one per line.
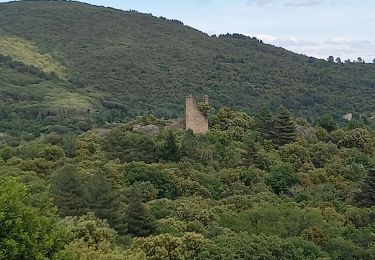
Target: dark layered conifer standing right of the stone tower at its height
(285,130)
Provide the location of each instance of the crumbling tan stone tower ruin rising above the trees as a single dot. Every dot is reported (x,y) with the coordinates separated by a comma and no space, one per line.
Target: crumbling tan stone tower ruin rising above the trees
(194,119)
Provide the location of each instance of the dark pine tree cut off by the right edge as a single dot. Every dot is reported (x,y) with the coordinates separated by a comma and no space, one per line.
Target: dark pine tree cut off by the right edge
(366,198)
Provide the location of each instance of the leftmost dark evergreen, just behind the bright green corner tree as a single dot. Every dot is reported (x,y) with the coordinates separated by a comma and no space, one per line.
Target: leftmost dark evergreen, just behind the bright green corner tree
(68,192)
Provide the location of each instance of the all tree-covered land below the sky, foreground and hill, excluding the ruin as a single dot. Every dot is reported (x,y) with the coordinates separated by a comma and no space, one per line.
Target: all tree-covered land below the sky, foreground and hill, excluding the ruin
(276,177)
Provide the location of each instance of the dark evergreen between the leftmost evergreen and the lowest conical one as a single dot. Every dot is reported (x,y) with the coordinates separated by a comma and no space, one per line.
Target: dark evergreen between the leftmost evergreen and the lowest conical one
(103,201)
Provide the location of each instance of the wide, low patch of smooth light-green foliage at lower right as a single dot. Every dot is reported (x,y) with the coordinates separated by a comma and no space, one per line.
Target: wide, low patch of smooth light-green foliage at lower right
(285,220)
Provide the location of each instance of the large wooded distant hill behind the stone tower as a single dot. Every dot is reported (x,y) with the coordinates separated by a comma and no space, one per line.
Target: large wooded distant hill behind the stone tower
(115,65)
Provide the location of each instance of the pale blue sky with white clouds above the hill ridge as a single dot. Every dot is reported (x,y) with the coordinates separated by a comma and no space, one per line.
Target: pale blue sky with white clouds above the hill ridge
(319,28)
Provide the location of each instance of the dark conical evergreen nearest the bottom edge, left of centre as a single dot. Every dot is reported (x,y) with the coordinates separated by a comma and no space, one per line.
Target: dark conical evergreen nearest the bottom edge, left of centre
(138,219)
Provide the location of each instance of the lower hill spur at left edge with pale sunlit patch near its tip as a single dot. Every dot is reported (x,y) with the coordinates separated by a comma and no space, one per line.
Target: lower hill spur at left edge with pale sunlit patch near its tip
(33,101)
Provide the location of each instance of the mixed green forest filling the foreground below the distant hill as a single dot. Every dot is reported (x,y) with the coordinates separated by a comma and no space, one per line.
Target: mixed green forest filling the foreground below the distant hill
(269,187)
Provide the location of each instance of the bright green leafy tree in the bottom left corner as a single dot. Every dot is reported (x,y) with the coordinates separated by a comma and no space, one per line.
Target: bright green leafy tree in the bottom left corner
(27,232)
